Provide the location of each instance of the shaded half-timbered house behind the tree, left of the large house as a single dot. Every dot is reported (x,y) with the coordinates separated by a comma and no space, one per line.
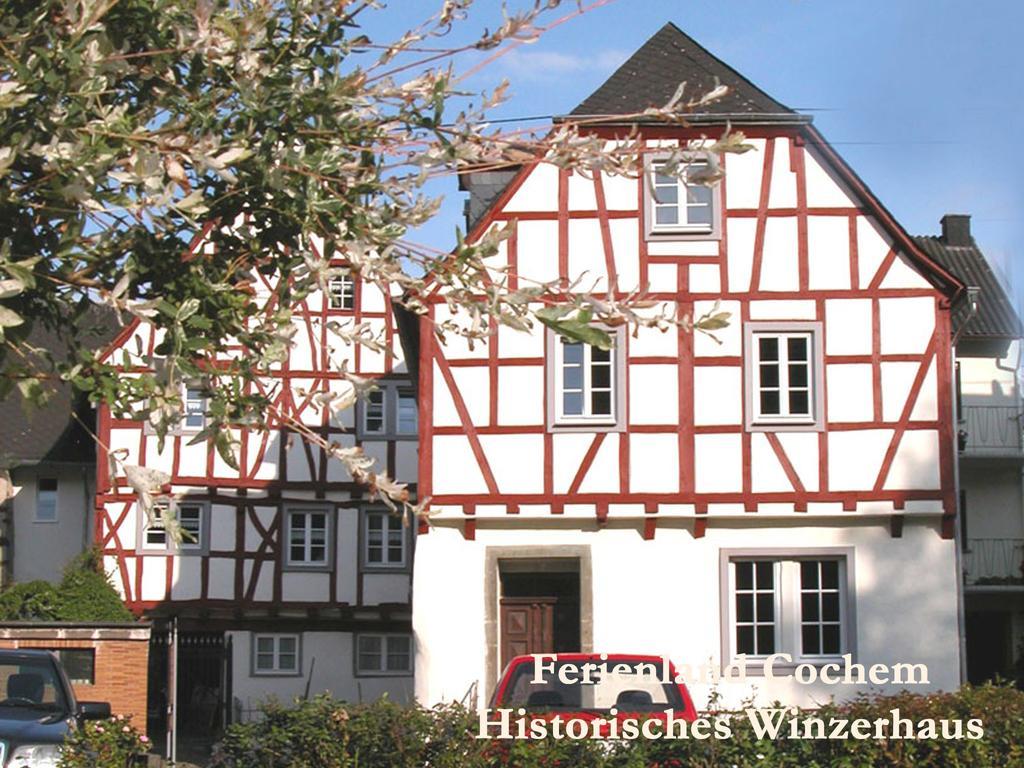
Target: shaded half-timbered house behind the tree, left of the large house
(288,581)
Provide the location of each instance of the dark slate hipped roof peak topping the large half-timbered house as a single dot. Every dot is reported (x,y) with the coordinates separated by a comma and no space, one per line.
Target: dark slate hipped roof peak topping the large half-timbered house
(652,76)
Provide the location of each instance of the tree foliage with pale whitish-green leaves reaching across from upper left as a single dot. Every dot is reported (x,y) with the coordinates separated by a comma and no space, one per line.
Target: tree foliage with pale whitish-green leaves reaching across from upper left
(162,157)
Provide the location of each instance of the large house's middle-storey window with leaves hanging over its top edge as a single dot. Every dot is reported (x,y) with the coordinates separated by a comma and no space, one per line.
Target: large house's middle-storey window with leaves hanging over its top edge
(586,385)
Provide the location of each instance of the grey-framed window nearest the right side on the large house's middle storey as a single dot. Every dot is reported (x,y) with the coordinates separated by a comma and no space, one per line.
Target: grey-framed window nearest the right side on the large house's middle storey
(784,371)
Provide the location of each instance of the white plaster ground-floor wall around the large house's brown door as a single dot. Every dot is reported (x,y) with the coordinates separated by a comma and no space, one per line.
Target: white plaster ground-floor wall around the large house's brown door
(670,604)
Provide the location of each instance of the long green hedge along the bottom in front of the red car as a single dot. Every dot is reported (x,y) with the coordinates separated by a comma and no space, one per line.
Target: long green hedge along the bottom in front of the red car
(325,734)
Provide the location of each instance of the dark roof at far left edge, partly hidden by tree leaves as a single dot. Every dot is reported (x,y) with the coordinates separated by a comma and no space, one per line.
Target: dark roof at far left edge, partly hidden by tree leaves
(51,434)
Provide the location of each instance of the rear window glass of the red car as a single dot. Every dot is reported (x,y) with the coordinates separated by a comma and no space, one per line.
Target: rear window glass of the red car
(627,686)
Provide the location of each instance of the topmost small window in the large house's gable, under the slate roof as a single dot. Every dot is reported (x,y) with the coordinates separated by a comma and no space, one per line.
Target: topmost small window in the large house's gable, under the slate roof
(676,204)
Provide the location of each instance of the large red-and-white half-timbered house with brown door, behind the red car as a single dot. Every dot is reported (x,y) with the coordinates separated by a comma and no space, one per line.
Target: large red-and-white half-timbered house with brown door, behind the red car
(788,489)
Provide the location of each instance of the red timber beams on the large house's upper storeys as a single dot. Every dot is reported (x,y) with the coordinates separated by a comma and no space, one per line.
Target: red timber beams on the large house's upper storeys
(804,489)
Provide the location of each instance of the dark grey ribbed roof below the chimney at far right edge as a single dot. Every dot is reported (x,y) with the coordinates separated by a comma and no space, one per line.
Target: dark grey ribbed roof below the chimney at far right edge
(996,317)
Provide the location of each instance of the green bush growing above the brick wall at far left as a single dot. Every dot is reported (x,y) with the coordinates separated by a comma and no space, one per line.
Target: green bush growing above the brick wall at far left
(86,594)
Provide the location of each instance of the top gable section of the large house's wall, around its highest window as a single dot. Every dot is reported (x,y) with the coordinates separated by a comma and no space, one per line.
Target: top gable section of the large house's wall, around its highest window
(793,212)
